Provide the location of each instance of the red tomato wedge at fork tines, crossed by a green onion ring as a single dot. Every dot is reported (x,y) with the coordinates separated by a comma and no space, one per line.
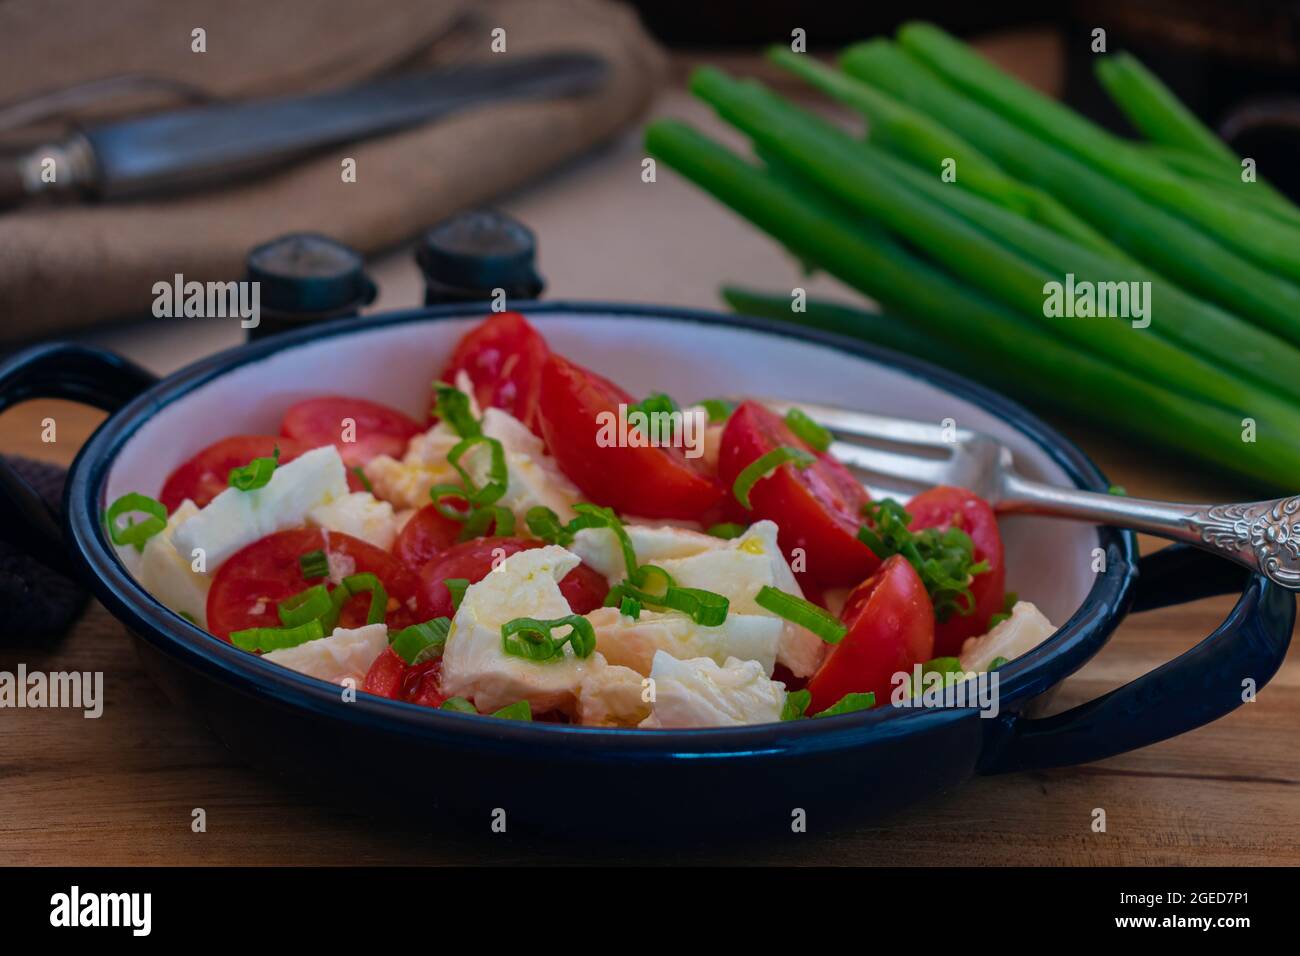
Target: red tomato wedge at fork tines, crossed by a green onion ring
(818,509)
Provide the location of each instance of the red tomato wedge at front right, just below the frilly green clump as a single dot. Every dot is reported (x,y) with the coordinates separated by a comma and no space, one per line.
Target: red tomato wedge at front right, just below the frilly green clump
(891,628)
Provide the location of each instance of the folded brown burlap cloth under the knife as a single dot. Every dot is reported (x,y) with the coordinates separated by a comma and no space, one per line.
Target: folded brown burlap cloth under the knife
(72,266)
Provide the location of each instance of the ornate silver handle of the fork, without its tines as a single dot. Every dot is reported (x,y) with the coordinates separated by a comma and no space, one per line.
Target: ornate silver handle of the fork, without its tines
(1263,535)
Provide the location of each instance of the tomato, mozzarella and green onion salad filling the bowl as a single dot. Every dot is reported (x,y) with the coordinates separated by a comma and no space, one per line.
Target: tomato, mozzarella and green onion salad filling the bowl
(548,547)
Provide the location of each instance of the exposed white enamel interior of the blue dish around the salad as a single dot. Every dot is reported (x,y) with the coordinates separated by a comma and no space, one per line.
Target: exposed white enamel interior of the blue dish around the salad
(1048,561)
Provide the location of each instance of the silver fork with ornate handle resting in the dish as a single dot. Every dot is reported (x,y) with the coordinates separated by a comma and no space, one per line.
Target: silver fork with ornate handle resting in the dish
(1263,535)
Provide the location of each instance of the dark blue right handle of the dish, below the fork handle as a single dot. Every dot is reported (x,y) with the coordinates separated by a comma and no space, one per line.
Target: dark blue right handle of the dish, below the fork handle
(1211,680)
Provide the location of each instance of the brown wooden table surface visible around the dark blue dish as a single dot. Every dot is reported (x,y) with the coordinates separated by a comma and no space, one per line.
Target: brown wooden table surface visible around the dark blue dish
(122,790)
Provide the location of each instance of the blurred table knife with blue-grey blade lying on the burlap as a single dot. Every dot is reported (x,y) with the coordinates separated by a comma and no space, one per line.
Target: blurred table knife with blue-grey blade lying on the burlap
(203,146)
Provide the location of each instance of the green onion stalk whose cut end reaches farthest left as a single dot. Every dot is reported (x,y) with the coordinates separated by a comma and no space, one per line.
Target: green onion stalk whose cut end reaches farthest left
(986,332)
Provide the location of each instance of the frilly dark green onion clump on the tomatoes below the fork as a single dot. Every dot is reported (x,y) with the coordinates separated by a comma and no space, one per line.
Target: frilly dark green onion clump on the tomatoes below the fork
(943,557)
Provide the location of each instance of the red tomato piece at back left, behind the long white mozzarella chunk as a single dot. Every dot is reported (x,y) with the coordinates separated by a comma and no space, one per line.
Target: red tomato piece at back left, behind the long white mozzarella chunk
(379,430)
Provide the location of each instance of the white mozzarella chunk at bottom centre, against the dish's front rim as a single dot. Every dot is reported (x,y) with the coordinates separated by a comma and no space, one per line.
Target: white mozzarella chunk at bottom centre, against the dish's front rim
(703,694)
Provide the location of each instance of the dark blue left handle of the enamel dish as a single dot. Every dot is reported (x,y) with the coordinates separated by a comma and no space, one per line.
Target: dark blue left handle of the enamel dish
(57,370)
